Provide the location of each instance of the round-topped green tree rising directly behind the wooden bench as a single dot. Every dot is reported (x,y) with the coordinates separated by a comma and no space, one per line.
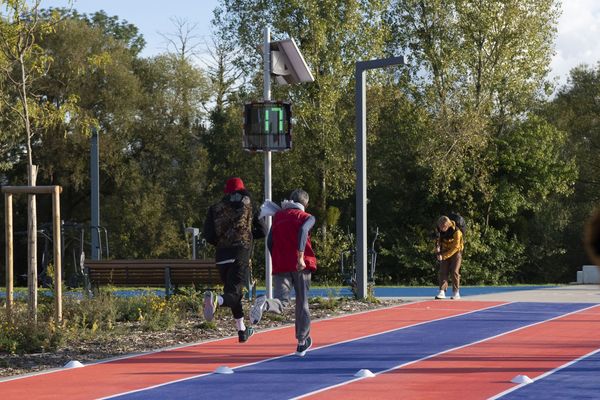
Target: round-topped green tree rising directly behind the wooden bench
(166,156)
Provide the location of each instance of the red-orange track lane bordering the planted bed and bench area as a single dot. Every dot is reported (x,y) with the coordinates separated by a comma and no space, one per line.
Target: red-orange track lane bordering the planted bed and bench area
(114,377)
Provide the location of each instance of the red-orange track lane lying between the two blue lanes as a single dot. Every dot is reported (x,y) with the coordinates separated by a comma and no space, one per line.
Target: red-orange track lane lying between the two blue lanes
(483,369)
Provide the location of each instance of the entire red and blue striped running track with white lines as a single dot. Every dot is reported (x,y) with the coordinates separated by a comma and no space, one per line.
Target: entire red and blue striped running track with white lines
(424,350)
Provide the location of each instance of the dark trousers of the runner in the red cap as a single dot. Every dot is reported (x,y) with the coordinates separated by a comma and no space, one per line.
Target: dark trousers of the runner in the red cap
(233,276)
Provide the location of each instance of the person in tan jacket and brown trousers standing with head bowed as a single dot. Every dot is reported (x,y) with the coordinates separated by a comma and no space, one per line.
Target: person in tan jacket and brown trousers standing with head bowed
(449,249)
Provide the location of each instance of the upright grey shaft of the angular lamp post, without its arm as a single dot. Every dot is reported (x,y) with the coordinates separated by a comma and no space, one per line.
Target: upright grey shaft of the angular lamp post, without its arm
(361,178)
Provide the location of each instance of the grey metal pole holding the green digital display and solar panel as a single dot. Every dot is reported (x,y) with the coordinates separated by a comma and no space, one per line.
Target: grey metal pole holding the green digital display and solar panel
(267,97)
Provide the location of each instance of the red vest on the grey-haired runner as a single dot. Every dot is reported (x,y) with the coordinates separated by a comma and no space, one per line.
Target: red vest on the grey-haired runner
(284,233)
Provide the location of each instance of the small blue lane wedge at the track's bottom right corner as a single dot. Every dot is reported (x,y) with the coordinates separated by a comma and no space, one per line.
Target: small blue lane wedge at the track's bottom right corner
(580,380)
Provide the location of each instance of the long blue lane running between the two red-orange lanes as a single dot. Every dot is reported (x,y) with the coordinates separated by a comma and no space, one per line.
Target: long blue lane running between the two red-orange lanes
(292,376)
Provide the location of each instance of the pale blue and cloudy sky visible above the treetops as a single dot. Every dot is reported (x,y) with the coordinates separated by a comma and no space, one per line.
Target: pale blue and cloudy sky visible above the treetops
(576,43)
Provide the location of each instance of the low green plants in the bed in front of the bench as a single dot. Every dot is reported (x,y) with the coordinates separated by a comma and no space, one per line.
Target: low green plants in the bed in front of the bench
(101,315)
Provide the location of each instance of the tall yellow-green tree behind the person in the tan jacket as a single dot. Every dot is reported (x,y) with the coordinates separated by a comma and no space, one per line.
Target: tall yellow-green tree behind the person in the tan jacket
(476,69)
